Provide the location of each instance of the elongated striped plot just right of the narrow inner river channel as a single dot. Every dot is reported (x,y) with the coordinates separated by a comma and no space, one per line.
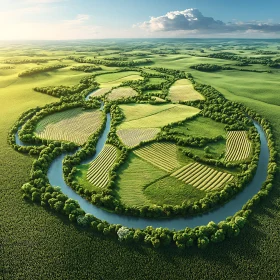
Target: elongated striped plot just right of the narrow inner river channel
(98,172)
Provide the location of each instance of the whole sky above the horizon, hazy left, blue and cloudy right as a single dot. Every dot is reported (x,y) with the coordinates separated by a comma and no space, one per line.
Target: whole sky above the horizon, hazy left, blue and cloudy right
(86,19)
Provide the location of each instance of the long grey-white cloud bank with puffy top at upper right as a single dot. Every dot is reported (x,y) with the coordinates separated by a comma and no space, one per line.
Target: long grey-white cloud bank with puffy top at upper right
(193,21)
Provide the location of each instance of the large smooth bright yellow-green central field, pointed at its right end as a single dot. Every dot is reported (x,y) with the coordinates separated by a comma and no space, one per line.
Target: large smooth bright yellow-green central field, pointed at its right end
(145,115)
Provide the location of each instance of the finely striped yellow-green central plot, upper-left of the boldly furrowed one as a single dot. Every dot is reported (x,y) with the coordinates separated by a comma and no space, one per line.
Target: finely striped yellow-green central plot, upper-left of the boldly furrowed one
(162,155)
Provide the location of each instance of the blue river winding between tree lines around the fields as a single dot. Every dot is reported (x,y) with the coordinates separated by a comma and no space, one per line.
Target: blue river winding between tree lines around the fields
(55,176)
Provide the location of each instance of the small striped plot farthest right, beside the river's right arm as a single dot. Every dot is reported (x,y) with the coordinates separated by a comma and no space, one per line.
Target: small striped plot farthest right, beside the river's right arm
(238,147)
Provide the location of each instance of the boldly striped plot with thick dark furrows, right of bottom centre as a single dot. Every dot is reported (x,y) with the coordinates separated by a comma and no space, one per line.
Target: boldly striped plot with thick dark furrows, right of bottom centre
(202,177)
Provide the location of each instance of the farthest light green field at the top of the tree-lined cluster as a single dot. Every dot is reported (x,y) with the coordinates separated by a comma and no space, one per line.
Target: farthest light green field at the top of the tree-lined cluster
(115,79)
